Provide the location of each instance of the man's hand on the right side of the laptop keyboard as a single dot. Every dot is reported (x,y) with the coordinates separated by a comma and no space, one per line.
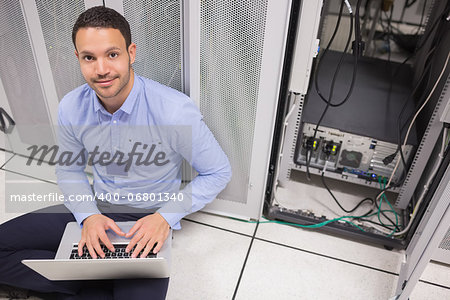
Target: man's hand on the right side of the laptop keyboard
(150,230)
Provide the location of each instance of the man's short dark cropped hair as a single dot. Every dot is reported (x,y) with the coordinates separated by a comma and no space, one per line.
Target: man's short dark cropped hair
(104,17)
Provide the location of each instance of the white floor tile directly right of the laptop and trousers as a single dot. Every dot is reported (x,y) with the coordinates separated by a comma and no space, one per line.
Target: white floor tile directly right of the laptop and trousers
(206,262)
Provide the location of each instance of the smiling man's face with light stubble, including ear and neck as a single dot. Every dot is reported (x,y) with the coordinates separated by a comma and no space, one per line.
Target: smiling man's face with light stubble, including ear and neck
(105,63)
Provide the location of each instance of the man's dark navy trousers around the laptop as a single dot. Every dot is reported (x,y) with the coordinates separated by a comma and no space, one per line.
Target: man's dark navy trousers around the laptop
(37,235)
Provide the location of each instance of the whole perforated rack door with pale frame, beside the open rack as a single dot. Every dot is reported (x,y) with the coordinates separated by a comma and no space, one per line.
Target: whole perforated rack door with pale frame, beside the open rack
(241,55)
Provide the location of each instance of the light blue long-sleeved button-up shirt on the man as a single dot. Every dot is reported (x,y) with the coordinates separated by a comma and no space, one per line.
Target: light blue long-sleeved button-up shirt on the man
(136,153)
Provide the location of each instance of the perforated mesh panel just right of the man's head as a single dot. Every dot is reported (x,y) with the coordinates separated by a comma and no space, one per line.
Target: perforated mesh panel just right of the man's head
(156,30)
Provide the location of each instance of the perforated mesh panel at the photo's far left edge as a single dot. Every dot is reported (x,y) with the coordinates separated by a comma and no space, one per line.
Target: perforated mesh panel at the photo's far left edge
(20,77)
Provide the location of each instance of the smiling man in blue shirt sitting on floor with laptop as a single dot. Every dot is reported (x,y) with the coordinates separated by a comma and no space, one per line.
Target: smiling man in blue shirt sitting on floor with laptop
(104,123)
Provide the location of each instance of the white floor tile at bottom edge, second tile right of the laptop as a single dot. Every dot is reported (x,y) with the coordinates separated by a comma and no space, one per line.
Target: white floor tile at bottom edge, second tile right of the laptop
(277,272)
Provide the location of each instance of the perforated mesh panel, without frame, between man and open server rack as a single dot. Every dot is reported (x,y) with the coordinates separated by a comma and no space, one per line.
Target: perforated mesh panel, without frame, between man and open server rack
(232,39)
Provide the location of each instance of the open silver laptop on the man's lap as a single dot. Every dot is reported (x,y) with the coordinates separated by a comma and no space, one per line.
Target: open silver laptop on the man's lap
(67,265)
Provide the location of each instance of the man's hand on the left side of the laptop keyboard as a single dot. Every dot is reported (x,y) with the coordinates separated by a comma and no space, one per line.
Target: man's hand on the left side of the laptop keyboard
(94,231)
